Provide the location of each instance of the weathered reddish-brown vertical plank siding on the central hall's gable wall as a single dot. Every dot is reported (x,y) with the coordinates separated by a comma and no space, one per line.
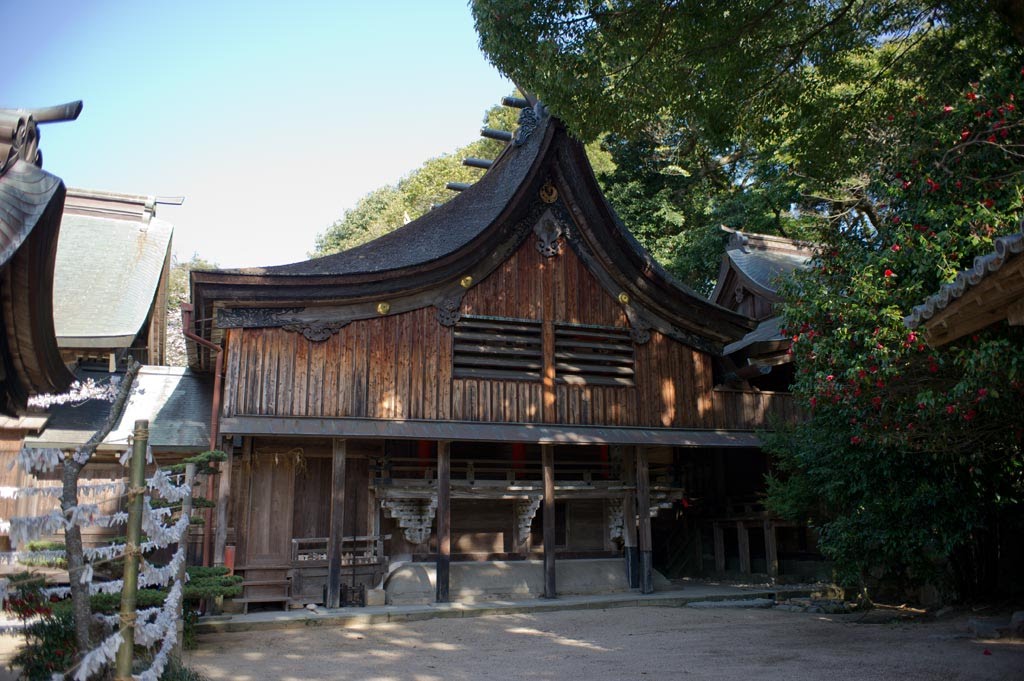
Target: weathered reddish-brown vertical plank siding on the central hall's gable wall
(401,366)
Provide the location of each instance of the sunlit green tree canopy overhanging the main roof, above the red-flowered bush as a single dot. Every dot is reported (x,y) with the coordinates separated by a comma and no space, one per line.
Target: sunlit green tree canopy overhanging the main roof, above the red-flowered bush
(761,115)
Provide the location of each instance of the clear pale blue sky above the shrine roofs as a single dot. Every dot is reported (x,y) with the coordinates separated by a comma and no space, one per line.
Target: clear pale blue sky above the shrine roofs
(271,119)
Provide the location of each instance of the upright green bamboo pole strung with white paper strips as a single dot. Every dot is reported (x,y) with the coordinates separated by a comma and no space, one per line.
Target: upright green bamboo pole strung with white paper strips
(135,536)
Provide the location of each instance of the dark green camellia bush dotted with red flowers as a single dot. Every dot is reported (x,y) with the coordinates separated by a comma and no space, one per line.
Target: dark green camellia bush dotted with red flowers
(911,460)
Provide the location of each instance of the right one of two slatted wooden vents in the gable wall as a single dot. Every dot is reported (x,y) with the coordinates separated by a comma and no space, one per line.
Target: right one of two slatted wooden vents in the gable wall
(593,356)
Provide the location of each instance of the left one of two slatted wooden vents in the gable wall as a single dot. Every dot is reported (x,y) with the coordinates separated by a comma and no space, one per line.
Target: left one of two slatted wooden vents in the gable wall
(498,349)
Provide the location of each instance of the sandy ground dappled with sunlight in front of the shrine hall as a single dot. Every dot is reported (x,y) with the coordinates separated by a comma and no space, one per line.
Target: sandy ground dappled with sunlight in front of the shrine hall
(614,645)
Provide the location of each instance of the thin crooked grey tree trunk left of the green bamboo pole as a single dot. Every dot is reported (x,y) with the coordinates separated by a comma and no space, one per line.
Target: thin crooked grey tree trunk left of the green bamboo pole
(69,500)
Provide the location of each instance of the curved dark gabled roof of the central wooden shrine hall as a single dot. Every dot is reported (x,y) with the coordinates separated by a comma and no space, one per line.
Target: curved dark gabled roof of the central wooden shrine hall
(423,263)
